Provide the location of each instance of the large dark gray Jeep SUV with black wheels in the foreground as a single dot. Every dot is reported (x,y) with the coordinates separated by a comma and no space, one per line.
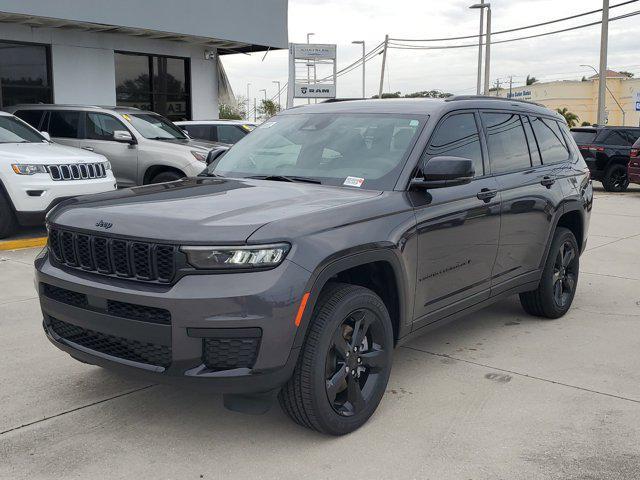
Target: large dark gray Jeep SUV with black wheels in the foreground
(302,256)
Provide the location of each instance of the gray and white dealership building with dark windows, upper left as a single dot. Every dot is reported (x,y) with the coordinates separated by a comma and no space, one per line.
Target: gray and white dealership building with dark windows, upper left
(159,55)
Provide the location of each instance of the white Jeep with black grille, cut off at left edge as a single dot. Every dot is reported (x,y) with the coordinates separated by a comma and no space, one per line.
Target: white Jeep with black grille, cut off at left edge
(36,174)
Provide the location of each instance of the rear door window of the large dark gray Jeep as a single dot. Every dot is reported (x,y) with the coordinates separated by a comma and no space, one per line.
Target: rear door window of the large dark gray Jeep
(508,150)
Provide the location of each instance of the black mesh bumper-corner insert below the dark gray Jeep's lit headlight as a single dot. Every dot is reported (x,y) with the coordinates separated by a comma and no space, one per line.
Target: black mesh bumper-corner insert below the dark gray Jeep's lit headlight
(227,353)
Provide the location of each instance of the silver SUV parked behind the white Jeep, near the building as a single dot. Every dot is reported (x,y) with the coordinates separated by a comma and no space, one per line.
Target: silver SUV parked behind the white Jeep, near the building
(143,147)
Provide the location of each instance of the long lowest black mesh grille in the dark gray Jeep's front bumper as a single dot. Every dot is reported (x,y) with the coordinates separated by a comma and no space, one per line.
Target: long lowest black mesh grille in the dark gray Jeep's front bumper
(127,349)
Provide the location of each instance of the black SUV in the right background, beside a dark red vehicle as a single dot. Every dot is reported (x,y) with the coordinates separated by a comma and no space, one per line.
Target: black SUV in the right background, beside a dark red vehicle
(607,151)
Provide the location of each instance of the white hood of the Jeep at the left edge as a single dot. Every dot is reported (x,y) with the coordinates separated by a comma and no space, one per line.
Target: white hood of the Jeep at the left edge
(47,153)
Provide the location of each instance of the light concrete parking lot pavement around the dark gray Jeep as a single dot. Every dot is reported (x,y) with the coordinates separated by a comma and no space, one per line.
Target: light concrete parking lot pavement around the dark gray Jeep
(498,394)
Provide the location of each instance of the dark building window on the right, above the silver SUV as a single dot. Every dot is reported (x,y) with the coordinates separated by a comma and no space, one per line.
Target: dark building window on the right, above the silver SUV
(152,82)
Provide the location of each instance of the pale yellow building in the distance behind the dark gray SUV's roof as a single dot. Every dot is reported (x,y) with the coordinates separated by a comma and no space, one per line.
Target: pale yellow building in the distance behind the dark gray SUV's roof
(581,97)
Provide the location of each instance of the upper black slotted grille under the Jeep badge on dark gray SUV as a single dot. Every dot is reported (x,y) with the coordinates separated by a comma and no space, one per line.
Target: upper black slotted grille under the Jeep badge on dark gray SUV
(109,256)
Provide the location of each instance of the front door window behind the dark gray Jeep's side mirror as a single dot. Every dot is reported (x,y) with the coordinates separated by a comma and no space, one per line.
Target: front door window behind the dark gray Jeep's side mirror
(457,136)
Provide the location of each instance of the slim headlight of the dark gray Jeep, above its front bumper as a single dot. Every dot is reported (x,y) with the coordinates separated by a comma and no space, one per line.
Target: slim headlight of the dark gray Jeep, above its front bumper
(258,256)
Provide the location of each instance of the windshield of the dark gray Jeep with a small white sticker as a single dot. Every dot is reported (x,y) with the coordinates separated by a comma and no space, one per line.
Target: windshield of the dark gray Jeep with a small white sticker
(358,150)
